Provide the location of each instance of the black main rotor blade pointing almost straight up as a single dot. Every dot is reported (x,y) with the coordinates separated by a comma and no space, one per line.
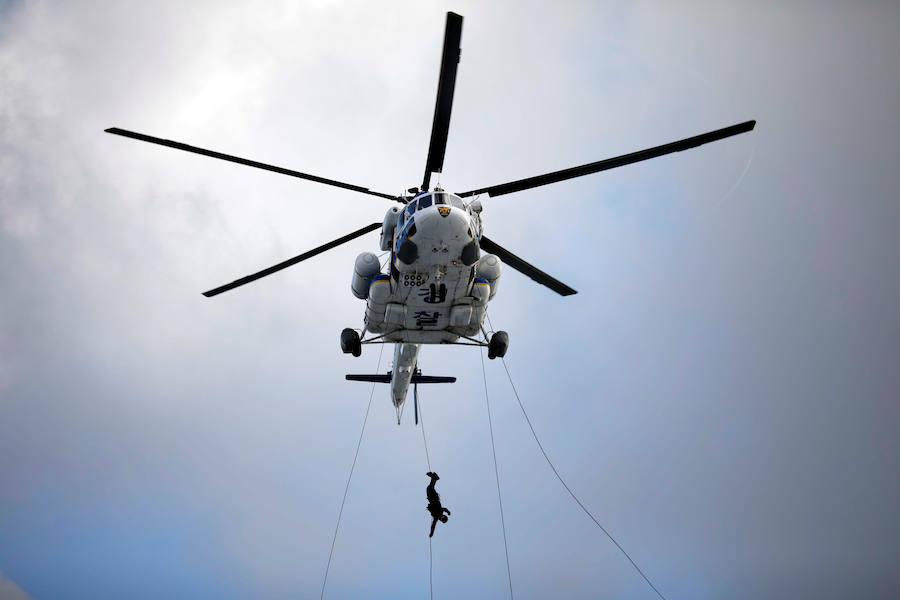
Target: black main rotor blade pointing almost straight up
(444,102)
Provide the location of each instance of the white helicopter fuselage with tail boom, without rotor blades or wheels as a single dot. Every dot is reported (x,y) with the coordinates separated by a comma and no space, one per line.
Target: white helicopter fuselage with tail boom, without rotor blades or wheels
(437,286)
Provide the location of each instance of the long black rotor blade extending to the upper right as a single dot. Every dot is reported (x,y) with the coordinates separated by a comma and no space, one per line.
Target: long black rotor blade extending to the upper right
(612,163)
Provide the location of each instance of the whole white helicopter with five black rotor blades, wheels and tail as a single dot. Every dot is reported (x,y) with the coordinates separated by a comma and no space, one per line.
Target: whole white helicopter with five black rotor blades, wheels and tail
(442,271)
